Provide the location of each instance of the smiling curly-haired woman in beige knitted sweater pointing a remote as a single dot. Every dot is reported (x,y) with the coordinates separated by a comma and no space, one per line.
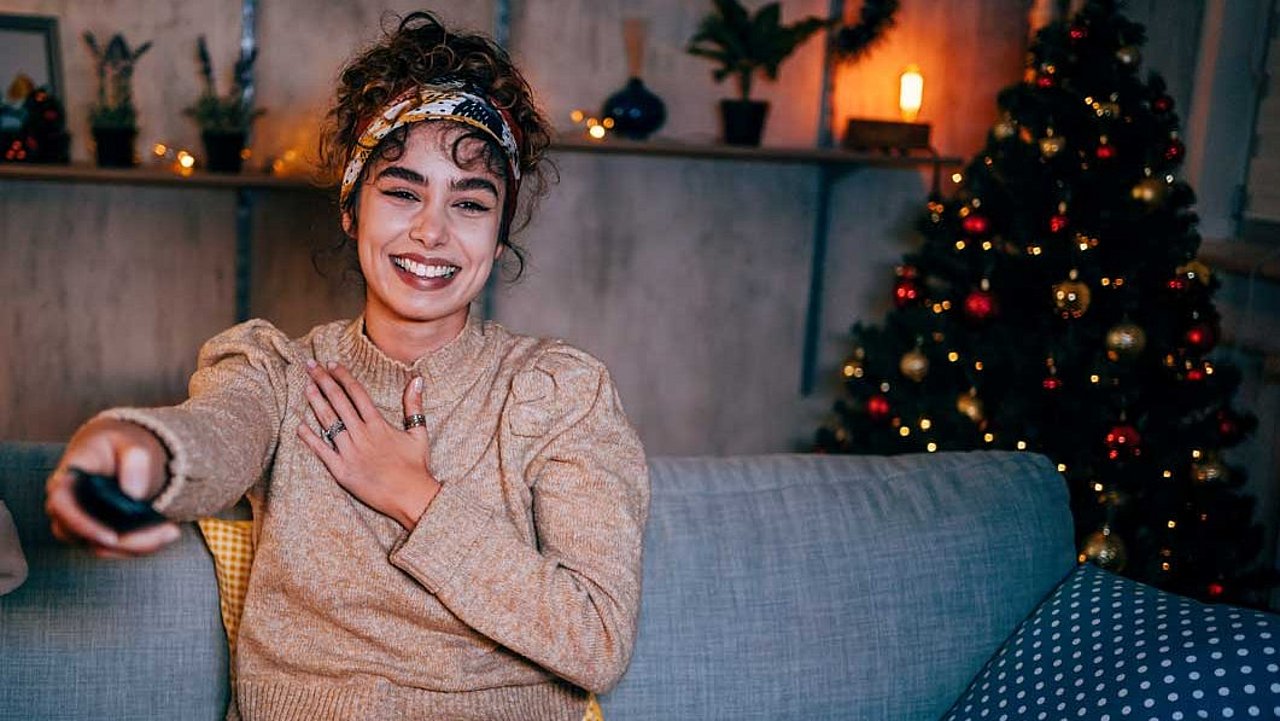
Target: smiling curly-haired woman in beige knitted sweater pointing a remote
(449,517)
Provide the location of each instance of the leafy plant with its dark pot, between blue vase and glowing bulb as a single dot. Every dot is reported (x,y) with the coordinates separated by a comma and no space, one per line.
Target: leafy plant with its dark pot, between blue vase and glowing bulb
(742,45)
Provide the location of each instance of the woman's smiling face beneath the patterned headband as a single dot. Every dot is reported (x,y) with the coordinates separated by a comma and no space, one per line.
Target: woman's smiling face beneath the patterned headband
(428,230)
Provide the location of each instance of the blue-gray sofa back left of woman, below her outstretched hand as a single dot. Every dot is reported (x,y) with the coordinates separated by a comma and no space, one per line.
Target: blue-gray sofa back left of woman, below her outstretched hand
(86,638)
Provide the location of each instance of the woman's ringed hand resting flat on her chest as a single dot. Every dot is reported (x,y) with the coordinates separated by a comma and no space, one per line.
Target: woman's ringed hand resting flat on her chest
(386,468)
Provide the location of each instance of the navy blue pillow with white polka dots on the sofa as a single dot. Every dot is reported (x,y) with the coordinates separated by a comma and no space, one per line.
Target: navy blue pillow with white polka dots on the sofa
(1107,649)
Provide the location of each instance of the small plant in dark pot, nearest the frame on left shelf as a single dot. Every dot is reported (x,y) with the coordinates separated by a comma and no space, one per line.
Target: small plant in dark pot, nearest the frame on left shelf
(113,120)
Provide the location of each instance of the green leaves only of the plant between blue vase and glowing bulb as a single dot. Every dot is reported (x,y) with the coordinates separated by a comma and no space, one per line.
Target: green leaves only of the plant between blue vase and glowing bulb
(743,44)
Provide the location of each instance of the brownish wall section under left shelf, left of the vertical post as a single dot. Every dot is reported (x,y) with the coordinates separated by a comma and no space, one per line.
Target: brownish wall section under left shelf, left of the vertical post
(106,296)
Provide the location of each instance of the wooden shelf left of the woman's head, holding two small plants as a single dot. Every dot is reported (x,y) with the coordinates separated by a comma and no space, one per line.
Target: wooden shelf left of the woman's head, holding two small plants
(149,176)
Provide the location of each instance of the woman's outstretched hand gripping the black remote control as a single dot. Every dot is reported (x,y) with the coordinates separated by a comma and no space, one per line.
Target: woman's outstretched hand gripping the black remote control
(129,453)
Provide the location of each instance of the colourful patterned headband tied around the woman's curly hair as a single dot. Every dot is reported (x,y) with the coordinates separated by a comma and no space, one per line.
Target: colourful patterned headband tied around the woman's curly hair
(446,101)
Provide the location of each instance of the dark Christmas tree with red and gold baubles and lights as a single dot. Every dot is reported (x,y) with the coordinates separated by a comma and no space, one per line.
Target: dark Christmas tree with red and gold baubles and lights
(1058,307)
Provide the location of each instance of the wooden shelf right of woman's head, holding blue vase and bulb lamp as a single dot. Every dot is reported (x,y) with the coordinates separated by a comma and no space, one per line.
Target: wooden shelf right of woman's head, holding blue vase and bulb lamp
(710,152)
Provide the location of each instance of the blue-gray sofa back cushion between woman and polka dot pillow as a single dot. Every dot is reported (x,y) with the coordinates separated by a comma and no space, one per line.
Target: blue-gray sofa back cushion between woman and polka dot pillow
(836,587)
